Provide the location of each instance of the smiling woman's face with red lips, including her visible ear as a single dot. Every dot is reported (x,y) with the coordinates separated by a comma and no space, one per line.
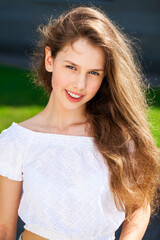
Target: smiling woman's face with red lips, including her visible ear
(77,73)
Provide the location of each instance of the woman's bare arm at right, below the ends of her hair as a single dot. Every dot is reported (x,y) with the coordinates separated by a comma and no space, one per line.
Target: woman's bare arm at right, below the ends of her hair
(135,227)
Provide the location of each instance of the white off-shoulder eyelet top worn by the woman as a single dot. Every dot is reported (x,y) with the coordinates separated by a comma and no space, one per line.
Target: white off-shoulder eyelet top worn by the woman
(66,193)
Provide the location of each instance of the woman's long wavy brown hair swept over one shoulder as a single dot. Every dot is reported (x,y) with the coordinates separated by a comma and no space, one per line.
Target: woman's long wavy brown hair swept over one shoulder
(118,112)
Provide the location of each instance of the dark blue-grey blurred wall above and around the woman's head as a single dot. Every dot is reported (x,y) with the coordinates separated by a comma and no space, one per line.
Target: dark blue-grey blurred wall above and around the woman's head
(141,19)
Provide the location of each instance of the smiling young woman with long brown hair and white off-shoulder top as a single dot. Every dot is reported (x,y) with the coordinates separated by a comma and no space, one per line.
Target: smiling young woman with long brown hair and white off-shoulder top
(87,162)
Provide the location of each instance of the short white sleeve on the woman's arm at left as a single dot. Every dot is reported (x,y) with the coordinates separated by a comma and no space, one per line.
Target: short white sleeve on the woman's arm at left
(10,156)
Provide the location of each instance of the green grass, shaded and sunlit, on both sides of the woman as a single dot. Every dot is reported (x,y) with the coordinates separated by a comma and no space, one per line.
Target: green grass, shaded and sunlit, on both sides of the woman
(20,100)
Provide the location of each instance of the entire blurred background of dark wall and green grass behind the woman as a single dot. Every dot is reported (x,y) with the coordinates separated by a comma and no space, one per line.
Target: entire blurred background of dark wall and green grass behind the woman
(19,19)
